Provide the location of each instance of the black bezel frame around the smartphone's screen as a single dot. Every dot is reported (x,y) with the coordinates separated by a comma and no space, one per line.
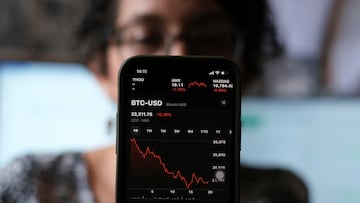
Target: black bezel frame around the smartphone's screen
(122,149)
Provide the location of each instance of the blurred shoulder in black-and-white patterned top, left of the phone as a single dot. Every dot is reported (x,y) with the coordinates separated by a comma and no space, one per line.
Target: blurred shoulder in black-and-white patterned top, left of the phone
(34,177)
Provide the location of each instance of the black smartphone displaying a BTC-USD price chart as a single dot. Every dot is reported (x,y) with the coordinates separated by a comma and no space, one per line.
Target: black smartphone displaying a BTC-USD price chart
(178,130)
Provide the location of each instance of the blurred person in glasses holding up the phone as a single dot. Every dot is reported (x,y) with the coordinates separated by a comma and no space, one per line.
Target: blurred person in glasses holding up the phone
(113,31)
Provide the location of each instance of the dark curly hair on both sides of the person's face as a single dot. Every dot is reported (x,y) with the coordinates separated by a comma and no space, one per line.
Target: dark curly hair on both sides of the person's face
(251,17)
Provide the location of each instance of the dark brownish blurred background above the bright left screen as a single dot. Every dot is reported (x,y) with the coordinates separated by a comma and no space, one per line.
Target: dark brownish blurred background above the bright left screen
(40,29)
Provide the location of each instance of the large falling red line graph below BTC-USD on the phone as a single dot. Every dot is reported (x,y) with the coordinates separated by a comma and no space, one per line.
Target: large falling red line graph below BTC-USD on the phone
(175,175)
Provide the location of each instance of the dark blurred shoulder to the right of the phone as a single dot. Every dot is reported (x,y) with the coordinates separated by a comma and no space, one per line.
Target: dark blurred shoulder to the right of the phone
(272,185)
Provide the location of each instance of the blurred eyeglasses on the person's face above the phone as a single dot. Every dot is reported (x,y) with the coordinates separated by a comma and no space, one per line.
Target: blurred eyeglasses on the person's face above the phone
(213,38)
